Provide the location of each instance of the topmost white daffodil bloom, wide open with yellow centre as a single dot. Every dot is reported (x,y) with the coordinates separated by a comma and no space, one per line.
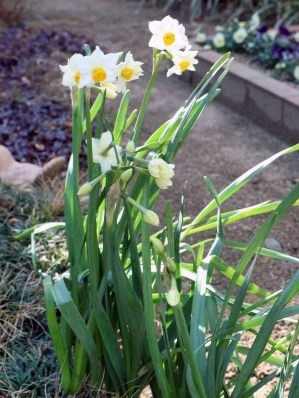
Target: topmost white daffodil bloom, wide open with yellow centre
(168,35)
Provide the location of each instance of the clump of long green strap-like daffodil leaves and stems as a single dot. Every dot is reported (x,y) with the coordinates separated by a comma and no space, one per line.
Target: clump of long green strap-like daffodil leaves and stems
(103,316)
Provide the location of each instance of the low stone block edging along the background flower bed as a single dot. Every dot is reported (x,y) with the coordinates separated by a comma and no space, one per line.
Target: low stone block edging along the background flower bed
(268,102)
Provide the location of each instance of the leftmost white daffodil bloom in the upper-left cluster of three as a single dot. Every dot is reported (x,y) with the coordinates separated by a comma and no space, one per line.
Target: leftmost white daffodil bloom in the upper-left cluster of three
(75,73)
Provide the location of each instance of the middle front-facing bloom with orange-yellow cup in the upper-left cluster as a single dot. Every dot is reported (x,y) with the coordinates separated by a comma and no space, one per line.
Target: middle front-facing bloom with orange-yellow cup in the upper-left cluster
(101,67)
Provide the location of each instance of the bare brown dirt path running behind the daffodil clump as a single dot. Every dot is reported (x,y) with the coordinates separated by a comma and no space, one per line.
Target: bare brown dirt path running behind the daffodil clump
(223,145)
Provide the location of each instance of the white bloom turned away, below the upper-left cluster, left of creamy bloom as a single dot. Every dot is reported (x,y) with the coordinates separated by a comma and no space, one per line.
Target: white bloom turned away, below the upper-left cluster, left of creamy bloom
(103,153)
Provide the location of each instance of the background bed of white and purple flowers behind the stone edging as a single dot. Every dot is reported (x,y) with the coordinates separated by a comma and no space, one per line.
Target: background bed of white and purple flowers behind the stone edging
(273,49)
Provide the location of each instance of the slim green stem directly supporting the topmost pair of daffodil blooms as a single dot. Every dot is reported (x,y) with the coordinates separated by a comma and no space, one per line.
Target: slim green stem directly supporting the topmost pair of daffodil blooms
(156,67)
